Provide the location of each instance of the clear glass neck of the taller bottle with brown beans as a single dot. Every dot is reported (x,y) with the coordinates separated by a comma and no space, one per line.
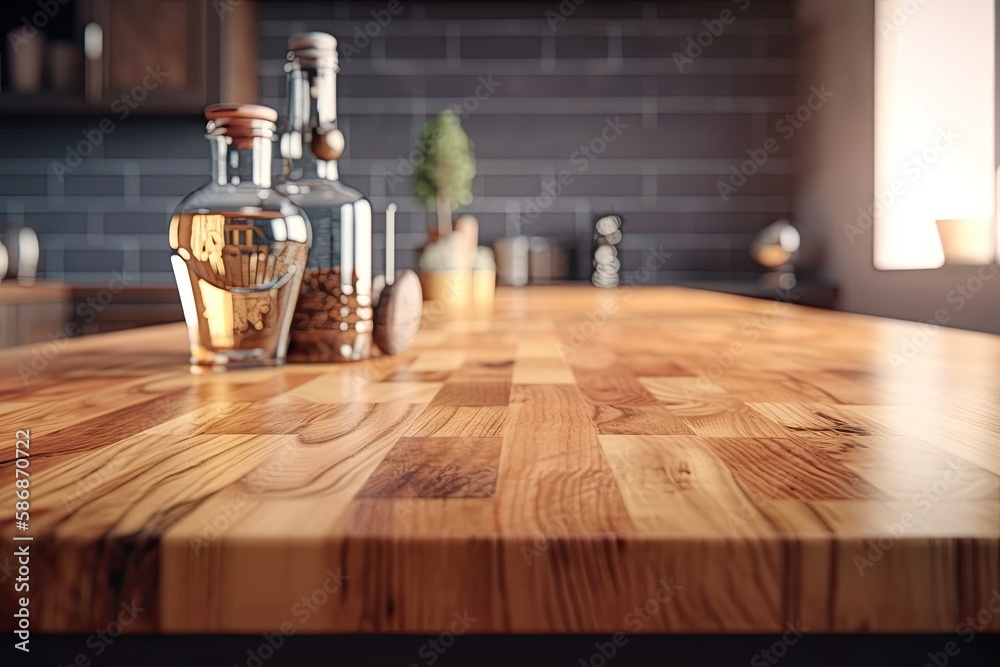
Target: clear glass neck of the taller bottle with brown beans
(312,105)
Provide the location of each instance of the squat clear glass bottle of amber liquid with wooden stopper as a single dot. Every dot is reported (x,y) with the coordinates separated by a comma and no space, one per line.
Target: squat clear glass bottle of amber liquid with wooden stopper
(240,247)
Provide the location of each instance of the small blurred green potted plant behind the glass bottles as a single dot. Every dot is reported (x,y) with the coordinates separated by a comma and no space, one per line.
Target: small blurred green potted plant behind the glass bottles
(443,182)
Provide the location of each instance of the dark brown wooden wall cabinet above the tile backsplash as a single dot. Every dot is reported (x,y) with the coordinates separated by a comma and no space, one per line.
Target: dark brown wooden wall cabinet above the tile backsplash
(155,57)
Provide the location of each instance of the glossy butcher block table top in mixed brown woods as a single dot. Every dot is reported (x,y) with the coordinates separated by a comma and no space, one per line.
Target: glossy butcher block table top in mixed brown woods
(654,460)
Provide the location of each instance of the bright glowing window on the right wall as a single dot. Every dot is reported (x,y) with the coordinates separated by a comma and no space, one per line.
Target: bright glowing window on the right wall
(934,126)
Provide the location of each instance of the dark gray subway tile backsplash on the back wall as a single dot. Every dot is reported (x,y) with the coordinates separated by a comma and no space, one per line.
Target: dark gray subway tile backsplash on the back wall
(559,87)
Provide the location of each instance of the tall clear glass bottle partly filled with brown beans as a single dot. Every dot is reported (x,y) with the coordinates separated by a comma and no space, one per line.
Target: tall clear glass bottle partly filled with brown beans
(333,318)
